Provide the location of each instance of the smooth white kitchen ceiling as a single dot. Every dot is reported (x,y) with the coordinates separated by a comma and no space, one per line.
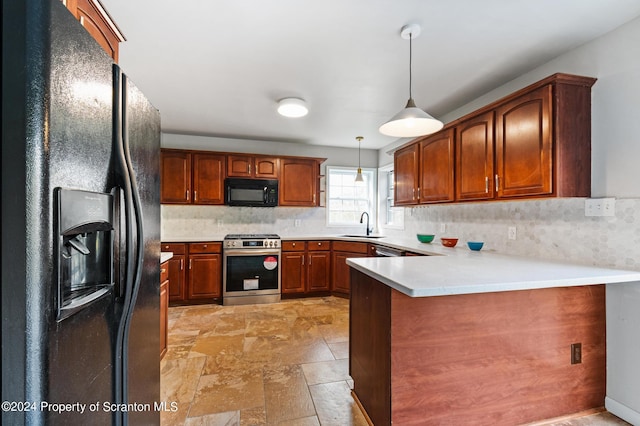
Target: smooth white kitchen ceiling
(217,67)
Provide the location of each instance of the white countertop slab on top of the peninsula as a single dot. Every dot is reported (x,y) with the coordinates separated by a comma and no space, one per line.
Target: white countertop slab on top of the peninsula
(463,271)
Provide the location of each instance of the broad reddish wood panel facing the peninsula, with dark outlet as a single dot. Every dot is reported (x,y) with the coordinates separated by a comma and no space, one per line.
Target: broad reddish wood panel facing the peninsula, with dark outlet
(496,358)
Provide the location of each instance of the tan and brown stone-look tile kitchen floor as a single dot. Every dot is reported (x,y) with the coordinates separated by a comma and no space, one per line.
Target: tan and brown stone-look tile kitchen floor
(277,364)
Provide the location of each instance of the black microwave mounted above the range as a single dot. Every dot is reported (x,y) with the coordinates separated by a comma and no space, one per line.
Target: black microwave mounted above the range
(251,192)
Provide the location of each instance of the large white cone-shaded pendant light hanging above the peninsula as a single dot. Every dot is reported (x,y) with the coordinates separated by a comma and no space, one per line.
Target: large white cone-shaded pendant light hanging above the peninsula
(411,121)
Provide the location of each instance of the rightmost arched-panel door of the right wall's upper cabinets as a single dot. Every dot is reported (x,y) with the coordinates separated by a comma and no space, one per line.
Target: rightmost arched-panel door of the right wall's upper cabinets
(524,160)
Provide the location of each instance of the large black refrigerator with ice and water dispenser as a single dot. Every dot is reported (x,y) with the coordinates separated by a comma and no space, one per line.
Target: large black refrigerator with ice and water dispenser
(80,228)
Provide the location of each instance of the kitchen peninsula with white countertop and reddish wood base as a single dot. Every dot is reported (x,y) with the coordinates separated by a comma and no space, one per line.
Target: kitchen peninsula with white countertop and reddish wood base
(477,338)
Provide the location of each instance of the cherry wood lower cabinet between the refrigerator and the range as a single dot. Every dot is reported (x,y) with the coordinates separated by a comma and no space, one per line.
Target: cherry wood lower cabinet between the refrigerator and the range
(195,271)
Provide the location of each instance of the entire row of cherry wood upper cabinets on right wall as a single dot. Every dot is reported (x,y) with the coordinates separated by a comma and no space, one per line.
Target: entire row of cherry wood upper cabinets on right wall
(535,142)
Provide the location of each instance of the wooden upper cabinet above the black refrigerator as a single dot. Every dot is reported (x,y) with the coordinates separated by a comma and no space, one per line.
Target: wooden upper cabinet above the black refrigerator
(95,19)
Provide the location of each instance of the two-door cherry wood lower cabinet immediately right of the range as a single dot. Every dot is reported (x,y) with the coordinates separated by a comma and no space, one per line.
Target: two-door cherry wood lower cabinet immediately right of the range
(306,267)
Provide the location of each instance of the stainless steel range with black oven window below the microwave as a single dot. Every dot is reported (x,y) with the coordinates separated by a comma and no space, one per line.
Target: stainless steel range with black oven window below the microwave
(251,269)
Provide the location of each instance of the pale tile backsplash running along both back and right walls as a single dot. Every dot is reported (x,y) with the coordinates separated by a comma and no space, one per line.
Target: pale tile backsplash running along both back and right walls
(554,228)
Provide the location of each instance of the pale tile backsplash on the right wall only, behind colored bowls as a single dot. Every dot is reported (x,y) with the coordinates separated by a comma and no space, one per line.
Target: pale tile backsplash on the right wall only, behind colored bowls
(554,228)
